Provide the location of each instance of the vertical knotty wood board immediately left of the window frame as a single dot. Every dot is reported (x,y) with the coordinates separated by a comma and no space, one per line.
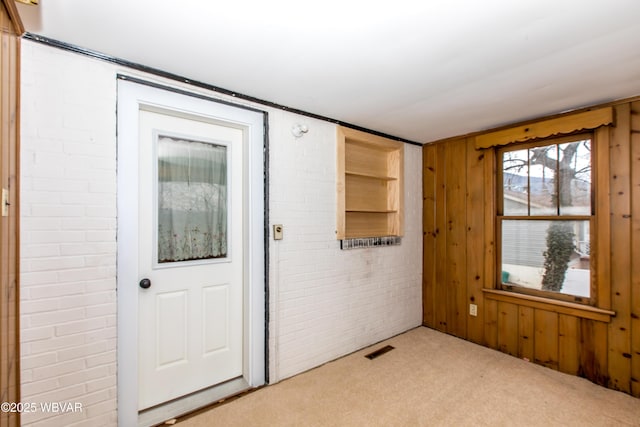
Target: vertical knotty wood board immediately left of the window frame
(475,239)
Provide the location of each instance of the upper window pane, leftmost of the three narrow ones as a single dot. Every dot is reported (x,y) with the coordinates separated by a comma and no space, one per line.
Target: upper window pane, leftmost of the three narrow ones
(515,167)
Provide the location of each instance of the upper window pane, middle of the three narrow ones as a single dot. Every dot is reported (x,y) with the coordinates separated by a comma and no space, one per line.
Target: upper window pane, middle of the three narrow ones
(544,162)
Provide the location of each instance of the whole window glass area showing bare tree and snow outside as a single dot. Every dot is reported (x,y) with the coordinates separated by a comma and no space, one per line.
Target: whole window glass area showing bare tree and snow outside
(544,217)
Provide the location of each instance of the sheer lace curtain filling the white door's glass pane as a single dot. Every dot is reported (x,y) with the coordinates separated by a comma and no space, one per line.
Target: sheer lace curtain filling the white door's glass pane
(192,200)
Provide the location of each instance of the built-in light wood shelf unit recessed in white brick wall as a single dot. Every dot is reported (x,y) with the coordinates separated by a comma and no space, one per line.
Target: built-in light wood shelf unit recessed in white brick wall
(370,183)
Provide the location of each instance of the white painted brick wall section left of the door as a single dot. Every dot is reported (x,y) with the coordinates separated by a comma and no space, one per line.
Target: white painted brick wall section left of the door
(68,247)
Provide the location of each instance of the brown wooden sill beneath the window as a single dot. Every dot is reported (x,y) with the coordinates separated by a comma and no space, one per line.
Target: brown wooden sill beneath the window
(563,307)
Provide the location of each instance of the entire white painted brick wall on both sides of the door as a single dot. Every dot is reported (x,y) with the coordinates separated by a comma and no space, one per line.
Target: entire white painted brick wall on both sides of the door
(324,302)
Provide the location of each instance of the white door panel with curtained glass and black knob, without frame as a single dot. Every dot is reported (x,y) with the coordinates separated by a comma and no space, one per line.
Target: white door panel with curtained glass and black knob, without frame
(191,234)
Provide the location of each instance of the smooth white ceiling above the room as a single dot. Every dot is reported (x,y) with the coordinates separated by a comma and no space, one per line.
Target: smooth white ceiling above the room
(419,70)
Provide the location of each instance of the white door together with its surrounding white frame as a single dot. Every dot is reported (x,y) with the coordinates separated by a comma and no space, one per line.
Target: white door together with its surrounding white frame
(191,221)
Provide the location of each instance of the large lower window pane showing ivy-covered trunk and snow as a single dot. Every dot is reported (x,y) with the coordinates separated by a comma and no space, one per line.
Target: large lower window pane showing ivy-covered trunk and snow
(547,255)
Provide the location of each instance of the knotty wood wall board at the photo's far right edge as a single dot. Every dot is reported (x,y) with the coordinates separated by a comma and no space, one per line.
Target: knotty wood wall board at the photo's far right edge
(635,249)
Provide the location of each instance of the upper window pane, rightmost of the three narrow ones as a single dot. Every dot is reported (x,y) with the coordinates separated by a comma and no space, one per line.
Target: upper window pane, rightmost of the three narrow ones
(575,178)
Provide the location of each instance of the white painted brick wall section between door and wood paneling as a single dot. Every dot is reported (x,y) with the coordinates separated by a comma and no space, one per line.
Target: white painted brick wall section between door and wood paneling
(327,302)
